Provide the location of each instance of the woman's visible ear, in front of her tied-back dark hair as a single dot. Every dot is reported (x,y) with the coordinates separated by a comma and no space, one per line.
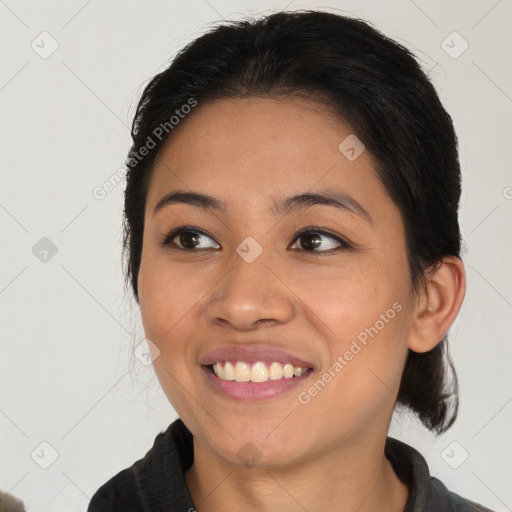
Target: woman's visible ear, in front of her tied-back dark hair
(437,304)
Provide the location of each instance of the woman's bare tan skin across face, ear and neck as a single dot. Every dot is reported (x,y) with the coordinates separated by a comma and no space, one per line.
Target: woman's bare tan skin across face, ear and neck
(327,454)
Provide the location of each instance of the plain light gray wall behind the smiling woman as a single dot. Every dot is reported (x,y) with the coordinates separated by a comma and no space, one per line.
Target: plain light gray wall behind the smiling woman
(68,374)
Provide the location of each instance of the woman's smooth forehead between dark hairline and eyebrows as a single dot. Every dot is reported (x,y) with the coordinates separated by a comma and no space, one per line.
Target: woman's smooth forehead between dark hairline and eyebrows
(256,147)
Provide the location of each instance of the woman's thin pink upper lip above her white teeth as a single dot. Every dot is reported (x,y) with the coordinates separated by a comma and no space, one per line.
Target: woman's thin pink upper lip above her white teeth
(251,353)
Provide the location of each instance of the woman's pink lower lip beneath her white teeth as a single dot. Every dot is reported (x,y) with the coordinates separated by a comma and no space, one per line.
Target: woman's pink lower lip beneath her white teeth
(254,391)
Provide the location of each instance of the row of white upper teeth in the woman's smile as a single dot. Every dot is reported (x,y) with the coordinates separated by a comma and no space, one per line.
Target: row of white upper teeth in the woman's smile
(257,372)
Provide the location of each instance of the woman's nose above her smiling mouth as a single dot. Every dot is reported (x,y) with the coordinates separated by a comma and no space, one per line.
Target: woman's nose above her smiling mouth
(251,295)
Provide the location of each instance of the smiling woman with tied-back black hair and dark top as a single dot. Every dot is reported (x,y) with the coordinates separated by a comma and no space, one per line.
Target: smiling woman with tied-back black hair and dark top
(293,243)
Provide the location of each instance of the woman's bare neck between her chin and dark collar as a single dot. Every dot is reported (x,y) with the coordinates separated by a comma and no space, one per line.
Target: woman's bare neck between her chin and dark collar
(357,477)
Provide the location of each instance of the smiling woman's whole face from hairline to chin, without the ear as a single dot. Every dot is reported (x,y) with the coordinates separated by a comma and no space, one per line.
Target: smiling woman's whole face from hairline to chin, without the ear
(248,283)
